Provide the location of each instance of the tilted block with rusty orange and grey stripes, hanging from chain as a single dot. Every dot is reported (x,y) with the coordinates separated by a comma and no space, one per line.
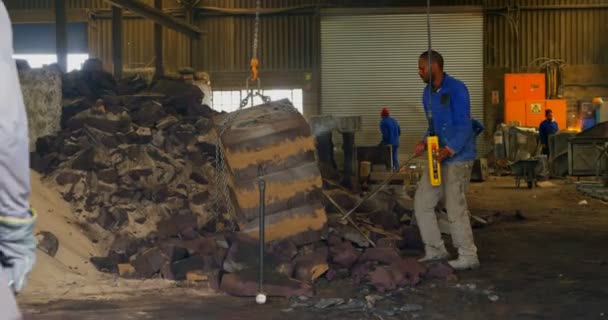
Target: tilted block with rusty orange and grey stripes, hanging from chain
(277,139)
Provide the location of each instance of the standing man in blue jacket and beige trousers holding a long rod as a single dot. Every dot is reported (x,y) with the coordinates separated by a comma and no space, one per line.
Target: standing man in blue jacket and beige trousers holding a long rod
(451,116)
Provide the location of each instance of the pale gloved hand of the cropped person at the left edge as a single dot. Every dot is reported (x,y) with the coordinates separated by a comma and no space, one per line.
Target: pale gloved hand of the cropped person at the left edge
(18,247)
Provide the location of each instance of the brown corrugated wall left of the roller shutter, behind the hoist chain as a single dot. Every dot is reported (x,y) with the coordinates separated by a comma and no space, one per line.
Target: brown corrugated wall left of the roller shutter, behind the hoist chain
(287,43)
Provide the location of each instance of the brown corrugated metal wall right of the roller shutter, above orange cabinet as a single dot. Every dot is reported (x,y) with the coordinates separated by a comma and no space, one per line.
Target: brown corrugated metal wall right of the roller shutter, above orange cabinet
(573,31)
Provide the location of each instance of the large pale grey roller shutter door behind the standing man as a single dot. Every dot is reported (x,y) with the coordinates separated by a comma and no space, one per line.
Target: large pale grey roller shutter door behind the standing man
(370,63)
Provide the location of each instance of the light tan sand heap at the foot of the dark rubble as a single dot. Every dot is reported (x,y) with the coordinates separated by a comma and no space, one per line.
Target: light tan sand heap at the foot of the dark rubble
(69,274)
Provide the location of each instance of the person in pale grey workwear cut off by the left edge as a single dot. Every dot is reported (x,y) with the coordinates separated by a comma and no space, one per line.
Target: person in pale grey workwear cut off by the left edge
(17,242)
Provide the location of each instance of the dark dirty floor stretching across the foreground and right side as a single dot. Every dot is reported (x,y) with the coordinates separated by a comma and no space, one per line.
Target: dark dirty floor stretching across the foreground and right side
(552,265)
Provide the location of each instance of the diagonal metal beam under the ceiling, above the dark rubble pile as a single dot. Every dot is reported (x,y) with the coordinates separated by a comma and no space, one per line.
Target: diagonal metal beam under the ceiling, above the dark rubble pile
(157,16)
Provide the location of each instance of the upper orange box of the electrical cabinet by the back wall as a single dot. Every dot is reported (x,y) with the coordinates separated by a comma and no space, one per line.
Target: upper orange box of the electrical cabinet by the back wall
(524,86)
